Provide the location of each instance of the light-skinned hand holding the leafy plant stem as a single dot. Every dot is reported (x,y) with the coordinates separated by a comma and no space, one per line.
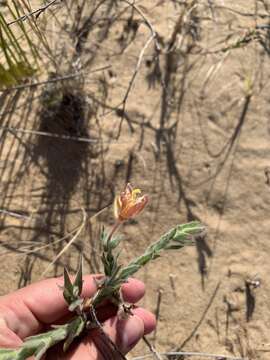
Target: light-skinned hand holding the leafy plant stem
(33,309)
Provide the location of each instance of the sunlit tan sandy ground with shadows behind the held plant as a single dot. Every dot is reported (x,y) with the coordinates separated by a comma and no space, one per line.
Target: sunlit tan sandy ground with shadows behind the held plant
(211,166)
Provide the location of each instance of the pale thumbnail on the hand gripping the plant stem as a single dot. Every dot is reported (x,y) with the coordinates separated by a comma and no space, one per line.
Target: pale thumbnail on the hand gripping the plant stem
(131,331)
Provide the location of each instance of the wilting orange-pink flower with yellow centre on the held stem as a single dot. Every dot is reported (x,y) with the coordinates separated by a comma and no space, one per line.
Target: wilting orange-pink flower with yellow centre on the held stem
(129,203)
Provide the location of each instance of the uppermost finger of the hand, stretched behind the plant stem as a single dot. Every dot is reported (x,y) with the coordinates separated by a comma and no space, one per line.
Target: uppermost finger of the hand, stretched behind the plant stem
(28,309)
